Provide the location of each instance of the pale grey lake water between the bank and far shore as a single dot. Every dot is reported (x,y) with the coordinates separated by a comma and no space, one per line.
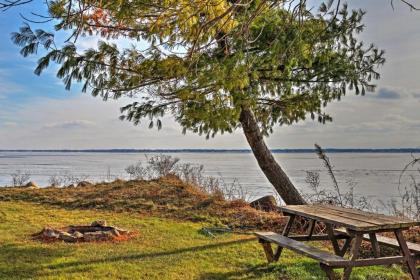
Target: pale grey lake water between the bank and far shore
(375,175)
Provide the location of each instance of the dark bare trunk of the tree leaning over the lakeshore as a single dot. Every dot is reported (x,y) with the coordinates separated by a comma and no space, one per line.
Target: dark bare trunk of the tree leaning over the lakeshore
(266,161)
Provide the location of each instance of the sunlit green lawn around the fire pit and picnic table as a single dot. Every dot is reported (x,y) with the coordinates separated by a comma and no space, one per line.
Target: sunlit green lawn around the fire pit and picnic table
(163,249)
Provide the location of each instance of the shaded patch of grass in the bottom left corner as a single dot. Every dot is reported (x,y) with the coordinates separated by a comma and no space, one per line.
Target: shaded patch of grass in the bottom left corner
(19,261)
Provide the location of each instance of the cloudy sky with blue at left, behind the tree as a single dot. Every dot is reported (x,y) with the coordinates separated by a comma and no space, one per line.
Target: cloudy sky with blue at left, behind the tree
(36,112)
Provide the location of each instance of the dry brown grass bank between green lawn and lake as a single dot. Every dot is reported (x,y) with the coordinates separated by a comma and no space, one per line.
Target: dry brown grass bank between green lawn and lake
(167,197)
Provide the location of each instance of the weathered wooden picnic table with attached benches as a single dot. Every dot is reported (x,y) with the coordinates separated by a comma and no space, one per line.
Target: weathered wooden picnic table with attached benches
(345,228)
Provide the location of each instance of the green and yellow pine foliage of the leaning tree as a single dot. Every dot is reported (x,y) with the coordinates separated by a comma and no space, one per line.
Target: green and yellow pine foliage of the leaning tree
(206,60)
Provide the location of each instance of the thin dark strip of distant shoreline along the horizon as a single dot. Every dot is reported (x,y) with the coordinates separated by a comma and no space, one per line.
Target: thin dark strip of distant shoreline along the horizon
(276,151)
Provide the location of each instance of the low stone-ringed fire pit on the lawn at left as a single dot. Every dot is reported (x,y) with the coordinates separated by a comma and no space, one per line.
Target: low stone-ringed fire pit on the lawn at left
(96,231)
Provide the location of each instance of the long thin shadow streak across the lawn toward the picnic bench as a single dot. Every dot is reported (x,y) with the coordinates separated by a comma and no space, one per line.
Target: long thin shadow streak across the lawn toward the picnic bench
(149,255)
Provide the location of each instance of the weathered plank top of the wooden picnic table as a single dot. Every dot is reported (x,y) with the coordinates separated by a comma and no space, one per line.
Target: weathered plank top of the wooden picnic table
(351,219)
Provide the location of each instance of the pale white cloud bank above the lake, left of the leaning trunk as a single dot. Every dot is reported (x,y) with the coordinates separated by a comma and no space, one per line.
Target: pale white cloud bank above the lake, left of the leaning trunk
(87,122)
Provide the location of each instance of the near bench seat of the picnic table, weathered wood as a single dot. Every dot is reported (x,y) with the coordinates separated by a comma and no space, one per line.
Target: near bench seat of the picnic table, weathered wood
(299,247)
